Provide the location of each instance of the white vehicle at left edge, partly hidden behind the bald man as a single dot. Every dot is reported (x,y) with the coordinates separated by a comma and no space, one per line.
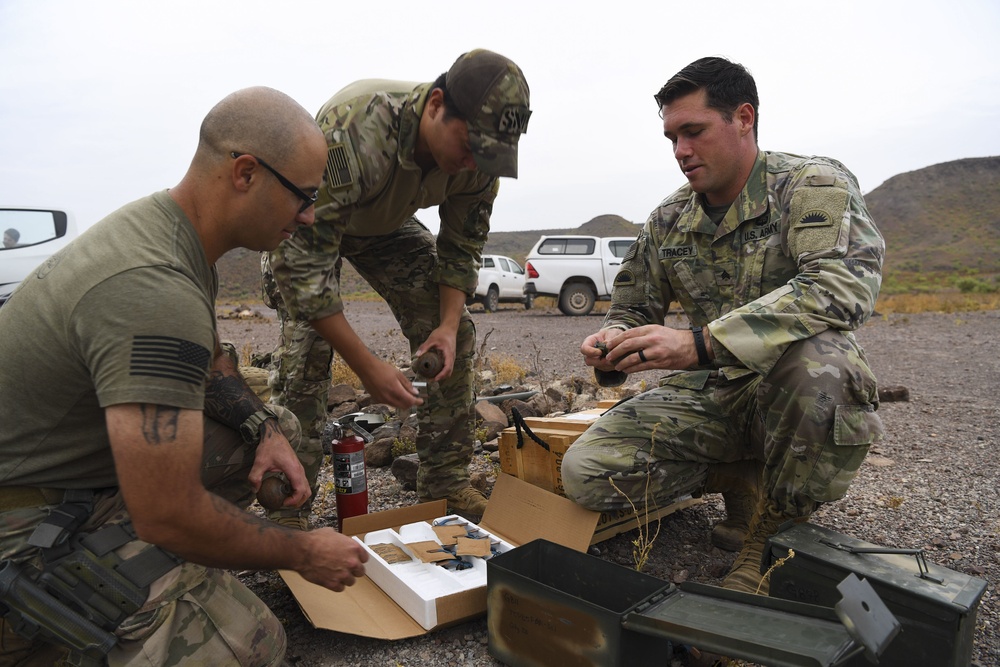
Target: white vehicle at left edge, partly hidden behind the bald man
(29,237)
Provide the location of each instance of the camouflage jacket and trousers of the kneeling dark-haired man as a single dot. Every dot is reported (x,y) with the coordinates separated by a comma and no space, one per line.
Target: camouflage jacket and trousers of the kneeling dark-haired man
(779,284)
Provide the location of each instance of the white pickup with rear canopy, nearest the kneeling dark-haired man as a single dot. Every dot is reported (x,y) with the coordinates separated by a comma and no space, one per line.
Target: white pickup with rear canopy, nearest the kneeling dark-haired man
(576,270)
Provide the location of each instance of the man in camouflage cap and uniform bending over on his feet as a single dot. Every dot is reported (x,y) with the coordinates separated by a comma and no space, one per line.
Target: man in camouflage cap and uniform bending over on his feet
(396,147)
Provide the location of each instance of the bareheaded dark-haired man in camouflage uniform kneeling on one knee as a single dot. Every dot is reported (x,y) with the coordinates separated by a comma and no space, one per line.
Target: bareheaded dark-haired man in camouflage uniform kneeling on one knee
(769,399)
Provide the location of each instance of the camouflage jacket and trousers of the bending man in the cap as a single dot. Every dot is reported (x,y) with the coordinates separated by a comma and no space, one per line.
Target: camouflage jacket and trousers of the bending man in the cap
(365,214)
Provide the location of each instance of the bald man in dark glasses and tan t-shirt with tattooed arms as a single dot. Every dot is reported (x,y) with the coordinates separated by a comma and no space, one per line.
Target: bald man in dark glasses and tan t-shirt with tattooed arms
(131,446)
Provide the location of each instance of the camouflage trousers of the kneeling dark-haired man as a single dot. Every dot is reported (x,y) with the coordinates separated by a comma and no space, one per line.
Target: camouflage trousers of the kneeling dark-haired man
(810,420)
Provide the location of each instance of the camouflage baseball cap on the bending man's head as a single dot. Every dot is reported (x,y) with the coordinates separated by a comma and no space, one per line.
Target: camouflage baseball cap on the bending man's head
(492,94)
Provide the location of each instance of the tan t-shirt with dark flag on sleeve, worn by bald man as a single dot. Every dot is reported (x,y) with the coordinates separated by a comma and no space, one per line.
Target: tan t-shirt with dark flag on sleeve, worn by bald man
(124,314)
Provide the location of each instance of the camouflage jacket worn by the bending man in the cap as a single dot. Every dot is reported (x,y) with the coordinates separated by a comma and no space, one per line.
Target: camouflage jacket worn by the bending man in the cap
(371,187)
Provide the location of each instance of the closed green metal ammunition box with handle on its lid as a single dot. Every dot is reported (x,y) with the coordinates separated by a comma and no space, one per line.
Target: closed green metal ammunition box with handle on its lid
(935,606)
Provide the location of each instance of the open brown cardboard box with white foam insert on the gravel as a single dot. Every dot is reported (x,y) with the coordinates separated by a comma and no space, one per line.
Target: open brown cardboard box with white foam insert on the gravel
(517,513)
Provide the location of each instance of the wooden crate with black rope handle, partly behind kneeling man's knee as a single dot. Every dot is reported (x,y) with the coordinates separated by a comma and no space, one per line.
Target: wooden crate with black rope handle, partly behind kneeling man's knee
(542,466)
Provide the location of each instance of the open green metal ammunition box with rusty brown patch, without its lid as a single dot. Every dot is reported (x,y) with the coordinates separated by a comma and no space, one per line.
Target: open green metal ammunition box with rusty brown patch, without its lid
(549,605)
